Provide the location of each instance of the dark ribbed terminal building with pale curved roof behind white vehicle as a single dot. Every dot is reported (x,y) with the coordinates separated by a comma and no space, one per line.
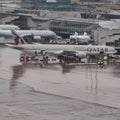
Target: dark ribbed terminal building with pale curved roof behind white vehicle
(67,26)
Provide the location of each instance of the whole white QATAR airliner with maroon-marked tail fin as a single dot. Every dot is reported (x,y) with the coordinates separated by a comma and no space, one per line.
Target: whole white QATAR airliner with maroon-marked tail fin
(63,52)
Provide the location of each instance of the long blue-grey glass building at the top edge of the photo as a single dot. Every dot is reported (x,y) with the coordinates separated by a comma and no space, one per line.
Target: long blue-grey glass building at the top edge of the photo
(56,5)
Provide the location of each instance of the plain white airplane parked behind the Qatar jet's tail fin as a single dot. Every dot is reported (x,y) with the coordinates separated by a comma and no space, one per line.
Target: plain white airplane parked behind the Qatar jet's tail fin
(6,35)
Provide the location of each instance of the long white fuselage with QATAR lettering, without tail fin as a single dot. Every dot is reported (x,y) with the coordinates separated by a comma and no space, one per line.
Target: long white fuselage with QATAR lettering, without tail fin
(88,49)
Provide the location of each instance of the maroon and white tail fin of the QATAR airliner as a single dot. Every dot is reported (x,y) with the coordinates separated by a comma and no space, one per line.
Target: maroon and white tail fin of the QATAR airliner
(17,38)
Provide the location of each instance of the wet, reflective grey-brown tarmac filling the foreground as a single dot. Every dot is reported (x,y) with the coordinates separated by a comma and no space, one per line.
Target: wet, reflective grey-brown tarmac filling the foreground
(32,91)
